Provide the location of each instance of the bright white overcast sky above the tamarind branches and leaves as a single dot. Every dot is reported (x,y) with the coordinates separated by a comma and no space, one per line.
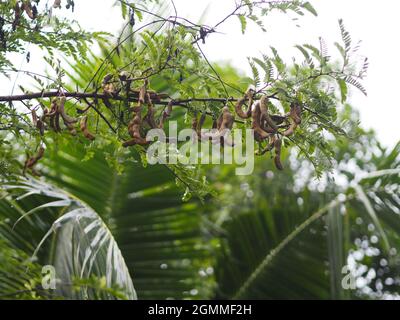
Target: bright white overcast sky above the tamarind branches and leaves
(370,21)
